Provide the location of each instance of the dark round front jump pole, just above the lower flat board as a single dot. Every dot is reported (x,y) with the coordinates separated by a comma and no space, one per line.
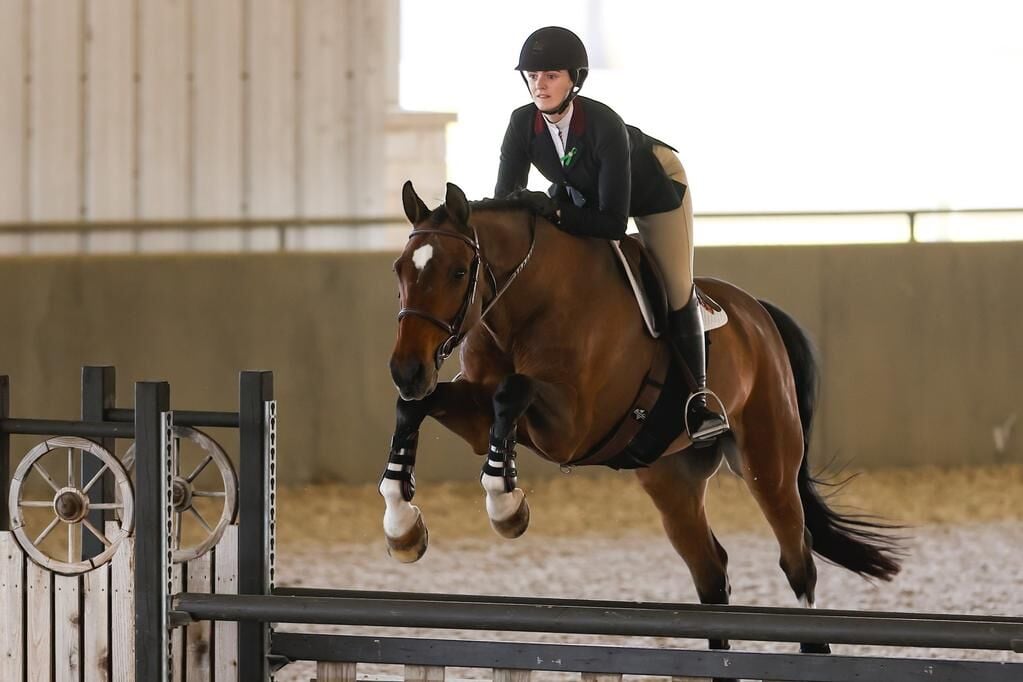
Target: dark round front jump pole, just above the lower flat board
(717,623)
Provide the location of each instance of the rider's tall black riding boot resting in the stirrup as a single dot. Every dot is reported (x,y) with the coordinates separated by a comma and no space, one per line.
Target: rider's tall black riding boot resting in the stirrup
(687,335)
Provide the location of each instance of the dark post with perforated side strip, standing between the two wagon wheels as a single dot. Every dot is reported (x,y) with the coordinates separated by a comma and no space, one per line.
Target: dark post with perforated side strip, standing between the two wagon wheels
(153,560)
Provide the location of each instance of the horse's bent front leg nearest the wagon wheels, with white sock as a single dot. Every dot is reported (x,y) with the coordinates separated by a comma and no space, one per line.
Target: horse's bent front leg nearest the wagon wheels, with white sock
(461,406)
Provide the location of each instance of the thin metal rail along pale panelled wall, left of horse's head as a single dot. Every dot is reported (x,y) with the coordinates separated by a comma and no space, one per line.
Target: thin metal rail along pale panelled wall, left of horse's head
(196,224)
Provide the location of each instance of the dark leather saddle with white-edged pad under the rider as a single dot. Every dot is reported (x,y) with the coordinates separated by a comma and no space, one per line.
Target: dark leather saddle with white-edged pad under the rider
(648,285)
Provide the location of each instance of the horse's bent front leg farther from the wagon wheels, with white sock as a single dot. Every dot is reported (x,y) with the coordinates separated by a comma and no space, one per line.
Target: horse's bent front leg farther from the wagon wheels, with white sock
(507,505)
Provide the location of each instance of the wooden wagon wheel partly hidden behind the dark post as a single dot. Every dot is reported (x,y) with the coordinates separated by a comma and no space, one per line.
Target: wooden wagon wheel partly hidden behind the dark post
(185,492)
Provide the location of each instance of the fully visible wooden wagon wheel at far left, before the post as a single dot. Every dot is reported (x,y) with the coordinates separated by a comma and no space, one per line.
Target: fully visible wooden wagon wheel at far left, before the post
(71,506)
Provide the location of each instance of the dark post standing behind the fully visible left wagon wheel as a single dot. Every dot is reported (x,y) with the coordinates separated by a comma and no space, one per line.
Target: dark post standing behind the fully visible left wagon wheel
(99,395)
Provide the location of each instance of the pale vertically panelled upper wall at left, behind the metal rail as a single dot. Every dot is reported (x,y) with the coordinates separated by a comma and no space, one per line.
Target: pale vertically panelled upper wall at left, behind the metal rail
(119,110)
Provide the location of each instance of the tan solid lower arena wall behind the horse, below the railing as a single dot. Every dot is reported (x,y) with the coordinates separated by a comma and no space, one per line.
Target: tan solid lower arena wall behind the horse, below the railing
(921,345)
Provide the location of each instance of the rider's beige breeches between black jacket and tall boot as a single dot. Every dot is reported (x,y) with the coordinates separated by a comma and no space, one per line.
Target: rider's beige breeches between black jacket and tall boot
(670,236)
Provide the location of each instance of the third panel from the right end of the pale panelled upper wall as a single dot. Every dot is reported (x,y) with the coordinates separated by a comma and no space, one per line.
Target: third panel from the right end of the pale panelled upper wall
(272,109)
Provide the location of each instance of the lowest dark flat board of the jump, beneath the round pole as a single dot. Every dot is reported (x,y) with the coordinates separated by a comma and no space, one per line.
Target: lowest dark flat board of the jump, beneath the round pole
(628,661)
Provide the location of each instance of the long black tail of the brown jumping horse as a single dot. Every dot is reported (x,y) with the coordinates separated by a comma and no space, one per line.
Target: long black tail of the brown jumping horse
(853,541)
